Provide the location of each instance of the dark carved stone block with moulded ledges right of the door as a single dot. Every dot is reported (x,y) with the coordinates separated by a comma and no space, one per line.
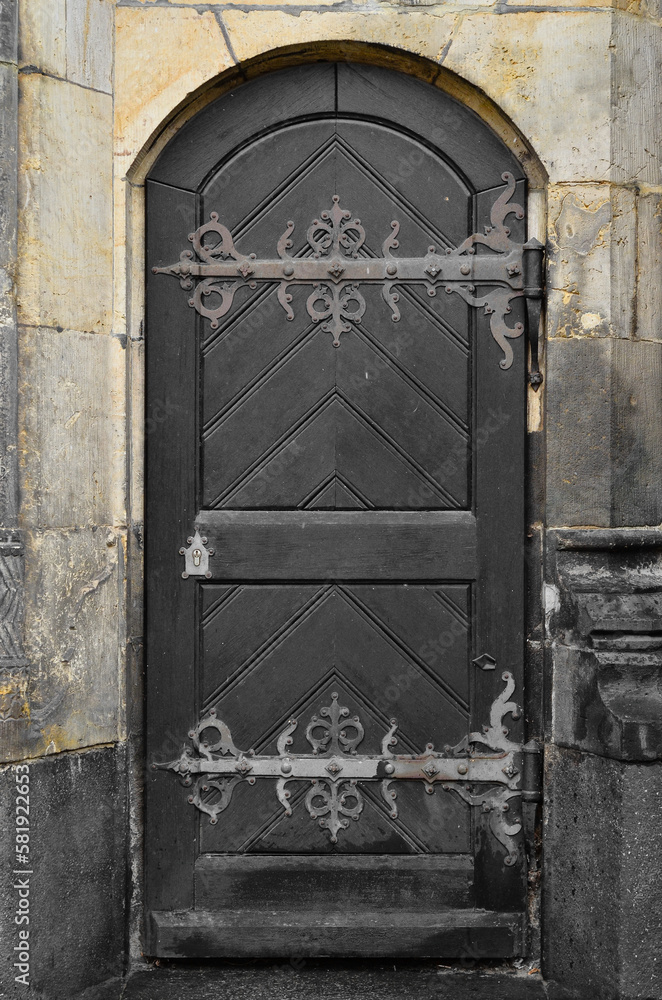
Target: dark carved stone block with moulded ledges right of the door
(606,632)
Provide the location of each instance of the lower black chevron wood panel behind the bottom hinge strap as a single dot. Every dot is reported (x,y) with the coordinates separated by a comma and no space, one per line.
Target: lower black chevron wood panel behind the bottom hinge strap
(272,652)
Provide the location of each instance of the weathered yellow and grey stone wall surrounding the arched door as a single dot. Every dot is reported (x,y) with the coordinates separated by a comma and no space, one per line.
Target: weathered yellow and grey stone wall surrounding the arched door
(576,90)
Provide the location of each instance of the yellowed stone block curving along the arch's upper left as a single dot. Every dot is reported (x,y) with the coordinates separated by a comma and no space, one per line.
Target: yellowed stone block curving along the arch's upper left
(161,57)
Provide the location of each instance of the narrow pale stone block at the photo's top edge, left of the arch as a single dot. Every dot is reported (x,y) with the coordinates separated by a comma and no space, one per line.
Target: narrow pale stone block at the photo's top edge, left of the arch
(89,43)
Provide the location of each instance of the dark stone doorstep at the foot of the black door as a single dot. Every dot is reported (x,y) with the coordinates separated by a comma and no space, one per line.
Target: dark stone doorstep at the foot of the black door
(329,981)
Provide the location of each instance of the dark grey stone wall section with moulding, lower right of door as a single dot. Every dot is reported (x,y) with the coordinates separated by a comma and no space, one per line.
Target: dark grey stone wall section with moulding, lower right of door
(603,837)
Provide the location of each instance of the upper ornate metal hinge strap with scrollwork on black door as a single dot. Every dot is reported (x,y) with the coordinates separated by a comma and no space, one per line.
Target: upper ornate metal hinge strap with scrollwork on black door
(340,264)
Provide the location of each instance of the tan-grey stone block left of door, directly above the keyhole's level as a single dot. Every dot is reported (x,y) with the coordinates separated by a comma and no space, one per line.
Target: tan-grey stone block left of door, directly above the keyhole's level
(72,420)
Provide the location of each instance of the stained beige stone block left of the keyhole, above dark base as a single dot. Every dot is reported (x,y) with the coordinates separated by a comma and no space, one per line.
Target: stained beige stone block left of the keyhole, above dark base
(74,634)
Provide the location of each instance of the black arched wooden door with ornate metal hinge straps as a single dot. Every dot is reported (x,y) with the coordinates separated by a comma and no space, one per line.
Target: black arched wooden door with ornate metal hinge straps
(334,525)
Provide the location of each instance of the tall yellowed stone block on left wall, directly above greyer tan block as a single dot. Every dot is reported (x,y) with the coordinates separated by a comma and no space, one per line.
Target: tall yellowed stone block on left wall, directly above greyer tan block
(65,206)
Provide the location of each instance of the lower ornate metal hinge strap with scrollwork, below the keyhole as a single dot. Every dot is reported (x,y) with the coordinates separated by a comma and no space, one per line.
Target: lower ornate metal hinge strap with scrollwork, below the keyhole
(484,769)
